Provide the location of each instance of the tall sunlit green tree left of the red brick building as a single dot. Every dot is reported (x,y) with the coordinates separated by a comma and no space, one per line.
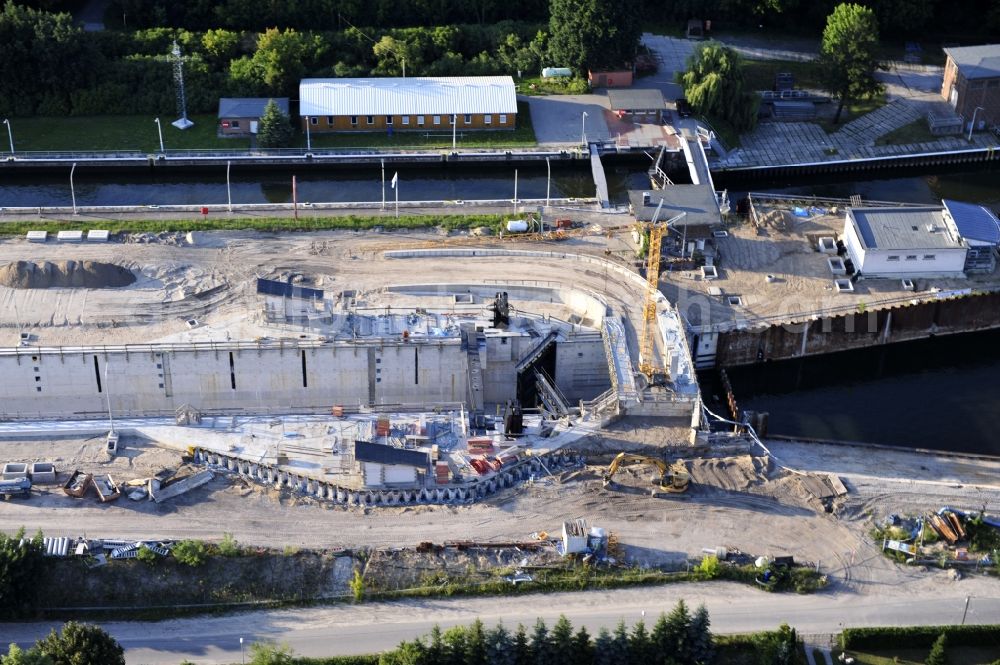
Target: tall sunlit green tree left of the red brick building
(847,58)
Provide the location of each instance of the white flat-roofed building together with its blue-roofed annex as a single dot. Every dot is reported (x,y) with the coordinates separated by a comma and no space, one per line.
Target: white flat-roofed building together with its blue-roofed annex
(921,241)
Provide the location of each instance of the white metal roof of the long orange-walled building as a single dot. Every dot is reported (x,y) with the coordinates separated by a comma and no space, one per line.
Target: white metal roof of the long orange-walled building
(409,96)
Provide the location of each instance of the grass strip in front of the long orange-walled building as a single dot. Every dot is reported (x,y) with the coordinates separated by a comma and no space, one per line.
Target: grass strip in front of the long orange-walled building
(522,136)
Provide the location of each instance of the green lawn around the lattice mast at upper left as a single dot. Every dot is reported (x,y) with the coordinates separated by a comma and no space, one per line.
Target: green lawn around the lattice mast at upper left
(117,132)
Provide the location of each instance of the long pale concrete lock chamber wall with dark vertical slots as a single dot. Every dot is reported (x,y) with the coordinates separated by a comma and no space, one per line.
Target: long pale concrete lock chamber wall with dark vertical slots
(150,380)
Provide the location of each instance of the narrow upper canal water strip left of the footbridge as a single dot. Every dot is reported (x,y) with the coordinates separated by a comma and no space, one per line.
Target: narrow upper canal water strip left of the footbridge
(334,185)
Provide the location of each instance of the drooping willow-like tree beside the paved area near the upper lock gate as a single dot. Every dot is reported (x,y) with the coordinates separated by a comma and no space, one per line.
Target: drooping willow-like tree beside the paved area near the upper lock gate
(714,85)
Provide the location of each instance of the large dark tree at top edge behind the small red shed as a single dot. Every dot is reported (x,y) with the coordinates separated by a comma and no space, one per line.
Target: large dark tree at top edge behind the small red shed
(592,34)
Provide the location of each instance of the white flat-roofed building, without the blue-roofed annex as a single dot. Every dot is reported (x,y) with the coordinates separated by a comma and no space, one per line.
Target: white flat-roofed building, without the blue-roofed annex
(915,241)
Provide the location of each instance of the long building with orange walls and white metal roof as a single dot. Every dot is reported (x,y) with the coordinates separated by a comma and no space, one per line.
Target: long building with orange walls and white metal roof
(408,104)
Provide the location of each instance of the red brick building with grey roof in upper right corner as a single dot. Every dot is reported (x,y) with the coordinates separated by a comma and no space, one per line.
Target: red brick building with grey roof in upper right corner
(971,81)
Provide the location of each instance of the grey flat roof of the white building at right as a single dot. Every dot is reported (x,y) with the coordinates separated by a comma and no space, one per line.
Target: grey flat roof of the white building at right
(903,228)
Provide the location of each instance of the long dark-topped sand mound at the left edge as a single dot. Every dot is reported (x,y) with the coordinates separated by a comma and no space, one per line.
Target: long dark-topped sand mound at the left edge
(81,274)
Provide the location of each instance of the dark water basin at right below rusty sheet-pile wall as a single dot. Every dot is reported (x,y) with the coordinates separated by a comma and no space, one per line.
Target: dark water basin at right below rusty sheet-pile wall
(939,393)
